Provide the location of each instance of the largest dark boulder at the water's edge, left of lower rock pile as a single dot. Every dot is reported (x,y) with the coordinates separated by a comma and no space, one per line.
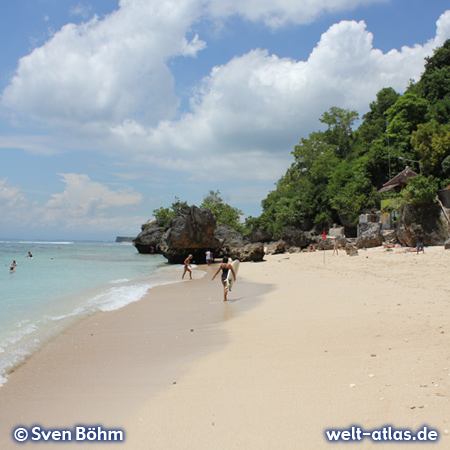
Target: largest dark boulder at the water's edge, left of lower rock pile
(190,231)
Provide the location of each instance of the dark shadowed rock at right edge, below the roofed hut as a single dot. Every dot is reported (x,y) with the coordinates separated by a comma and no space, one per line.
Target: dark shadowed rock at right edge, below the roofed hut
(429,221)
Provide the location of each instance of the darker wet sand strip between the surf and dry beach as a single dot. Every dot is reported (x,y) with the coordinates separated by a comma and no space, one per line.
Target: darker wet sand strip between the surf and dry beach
(106,364)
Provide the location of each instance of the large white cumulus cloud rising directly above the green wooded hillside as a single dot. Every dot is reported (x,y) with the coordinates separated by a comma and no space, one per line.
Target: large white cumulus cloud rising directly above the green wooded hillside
(252,110)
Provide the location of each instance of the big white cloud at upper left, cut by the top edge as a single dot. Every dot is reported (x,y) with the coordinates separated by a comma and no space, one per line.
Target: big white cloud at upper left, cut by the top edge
(106,70)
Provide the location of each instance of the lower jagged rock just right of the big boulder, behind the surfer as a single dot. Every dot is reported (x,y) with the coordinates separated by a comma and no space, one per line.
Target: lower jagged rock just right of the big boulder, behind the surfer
(235,246)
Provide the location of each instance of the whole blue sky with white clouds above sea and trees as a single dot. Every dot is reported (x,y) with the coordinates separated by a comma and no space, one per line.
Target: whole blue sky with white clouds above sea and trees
(109,109)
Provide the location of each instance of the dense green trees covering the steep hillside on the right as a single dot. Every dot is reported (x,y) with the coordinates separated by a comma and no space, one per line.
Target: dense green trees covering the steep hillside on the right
(337,172)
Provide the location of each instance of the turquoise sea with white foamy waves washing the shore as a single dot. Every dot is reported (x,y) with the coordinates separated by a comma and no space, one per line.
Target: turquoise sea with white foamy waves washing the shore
(64,282)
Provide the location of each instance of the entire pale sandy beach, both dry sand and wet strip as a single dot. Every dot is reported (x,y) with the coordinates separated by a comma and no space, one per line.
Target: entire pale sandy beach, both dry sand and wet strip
(307,342)
